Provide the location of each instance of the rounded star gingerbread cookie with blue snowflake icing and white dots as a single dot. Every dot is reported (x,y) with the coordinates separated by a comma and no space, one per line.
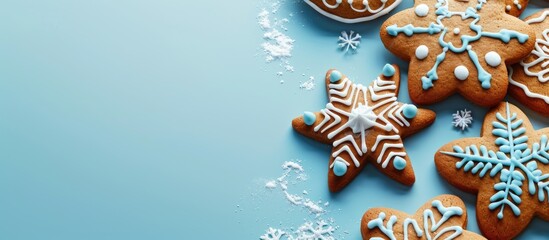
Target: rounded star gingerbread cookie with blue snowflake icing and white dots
(457,46)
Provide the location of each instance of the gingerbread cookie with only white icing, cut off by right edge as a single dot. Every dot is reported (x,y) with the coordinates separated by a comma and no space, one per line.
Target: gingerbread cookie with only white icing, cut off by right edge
(529,79)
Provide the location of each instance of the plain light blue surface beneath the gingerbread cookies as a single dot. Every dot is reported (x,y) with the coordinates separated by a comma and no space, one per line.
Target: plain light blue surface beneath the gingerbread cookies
(137,119)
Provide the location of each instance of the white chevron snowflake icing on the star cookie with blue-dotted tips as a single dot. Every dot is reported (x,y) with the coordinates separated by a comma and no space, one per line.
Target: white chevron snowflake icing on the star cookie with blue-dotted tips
(364,102)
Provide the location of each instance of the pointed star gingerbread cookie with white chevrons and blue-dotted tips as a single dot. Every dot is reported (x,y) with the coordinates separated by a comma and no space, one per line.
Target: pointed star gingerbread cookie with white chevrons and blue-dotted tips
(365,124)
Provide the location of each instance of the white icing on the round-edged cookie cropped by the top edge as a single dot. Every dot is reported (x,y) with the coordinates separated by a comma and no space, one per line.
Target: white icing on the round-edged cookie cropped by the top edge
(374,13)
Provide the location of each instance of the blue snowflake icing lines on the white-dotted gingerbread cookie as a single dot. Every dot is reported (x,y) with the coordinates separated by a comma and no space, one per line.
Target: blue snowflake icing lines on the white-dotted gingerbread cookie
(442,12)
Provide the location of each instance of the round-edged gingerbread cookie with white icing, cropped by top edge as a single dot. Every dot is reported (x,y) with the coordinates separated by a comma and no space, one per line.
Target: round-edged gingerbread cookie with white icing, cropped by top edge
(353,11)
